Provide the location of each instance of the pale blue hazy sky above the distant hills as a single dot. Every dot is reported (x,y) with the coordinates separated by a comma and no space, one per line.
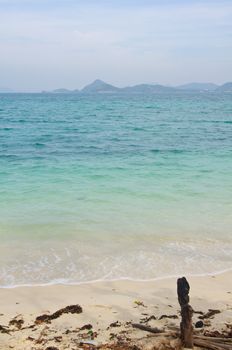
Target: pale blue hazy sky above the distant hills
(48,44)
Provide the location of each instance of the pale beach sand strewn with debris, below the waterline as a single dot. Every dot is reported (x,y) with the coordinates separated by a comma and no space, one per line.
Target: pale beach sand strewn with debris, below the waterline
(110,308)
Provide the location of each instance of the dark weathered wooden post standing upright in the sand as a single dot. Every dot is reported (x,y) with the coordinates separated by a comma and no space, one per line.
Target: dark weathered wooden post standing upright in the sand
(186,327)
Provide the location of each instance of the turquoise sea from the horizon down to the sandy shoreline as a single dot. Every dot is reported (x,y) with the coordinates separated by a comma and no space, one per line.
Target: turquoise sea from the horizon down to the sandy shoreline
(109,186)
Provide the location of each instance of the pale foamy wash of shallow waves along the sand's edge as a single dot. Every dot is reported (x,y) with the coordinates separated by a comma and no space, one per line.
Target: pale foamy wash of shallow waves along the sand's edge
(139,262)
